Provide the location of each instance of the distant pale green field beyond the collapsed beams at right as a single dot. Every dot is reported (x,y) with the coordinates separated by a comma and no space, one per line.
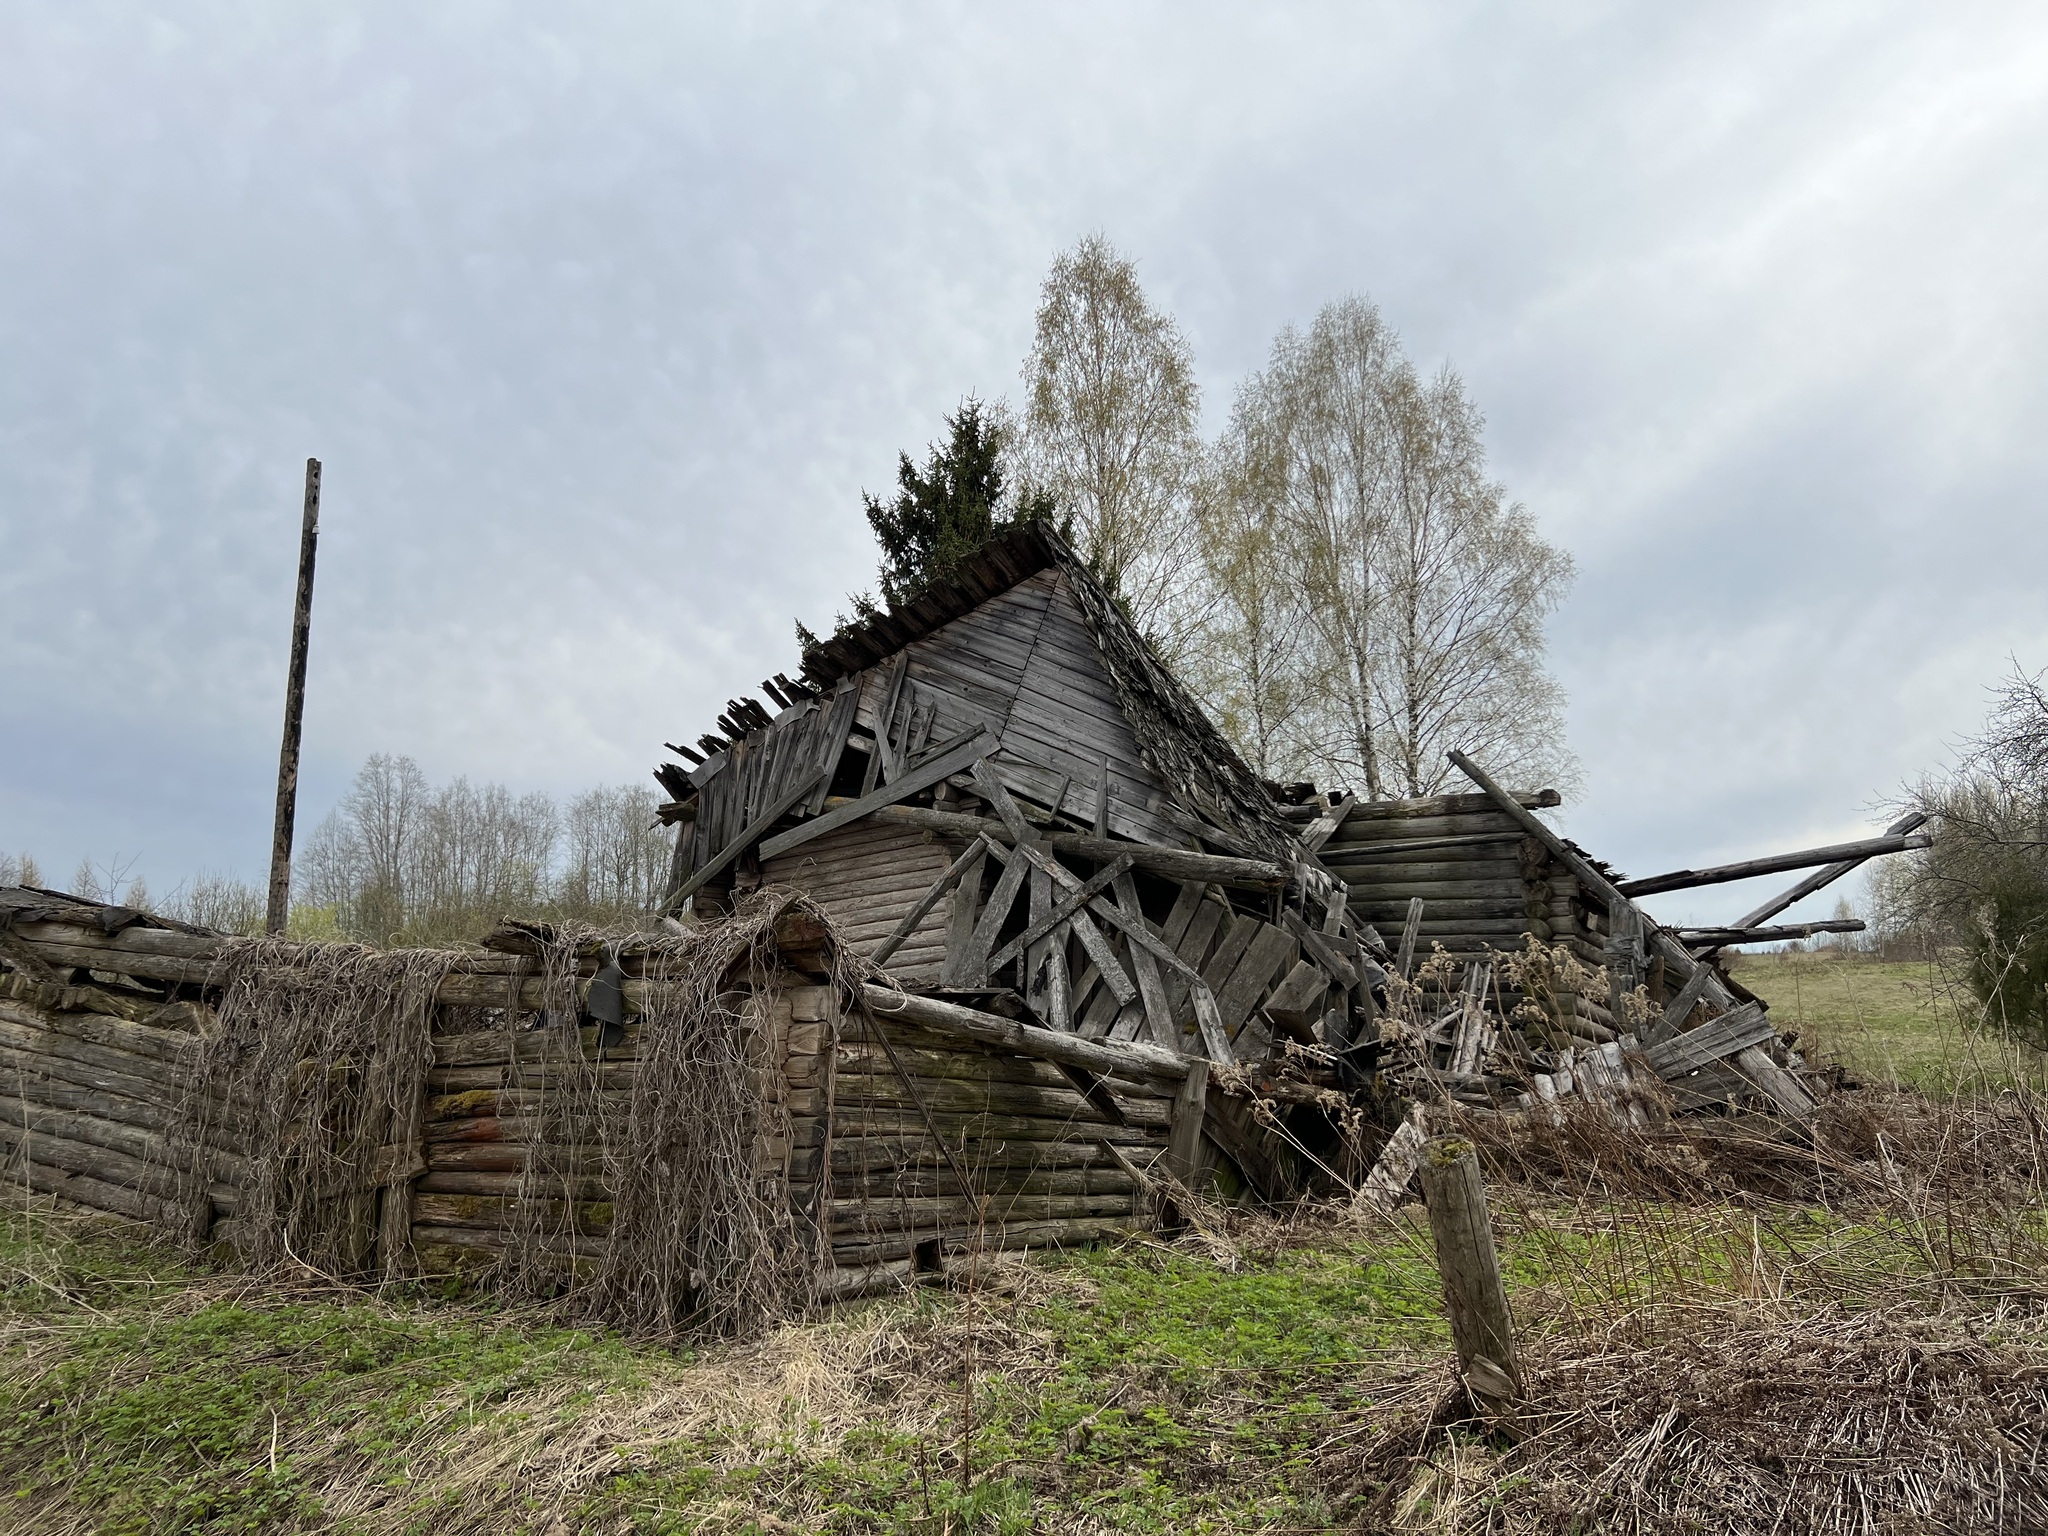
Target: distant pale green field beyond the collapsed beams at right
(1887,1023)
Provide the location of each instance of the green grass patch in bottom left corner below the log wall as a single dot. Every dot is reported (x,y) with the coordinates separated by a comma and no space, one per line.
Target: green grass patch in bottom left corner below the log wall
(165,1402)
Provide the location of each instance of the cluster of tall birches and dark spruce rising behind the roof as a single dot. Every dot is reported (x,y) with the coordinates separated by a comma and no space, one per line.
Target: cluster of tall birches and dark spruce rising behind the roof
(1336,574)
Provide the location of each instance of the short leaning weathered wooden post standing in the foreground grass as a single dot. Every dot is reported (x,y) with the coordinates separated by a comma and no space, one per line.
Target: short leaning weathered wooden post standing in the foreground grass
(1474,1293)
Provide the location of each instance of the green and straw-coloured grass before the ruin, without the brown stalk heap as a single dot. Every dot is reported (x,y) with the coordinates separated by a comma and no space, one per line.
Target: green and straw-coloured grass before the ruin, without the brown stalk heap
(1142,1388)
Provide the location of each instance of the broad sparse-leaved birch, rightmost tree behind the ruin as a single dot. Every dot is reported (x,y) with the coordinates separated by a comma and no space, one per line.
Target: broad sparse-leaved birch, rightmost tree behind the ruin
(1424,589)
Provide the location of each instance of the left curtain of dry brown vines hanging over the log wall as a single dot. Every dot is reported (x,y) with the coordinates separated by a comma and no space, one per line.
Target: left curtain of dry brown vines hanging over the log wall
(316,1064)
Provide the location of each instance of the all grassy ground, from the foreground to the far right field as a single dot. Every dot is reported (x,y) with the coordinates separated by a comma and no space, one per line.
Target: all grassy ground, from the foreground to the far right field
(1689,1310)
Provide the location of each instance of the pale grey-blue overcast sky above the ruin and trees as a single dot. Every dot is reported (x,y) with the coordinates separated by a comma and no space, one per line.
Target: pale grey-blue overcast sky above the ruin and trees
(601,318)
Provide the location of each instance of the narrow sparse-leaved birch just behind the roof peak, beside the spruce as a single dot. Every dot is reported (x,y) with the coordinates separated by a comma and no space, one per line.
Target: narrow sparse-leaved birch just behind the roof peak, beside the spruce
(1113,429)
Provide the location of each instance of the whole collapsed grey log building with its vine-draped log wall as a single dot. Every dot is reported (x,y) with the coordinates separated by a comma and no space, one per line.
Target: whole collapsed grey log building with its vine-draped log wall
(982,937)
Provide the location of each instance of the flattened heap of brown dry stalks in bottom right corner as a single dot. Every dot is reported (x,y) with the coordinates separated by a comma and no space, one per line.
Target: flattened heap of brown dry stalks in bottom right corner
(1734,1420)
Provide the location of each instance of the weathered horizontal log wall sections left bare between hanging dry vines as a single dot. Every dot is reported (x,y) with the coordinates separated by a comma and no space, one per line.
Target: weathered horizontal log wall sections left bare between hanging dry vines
(1033,1162)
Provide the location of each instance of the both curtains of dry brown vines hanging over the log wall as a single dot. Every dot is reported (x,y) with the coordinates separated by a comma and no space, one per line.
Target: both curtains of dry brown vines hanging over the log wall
(321,1062)
